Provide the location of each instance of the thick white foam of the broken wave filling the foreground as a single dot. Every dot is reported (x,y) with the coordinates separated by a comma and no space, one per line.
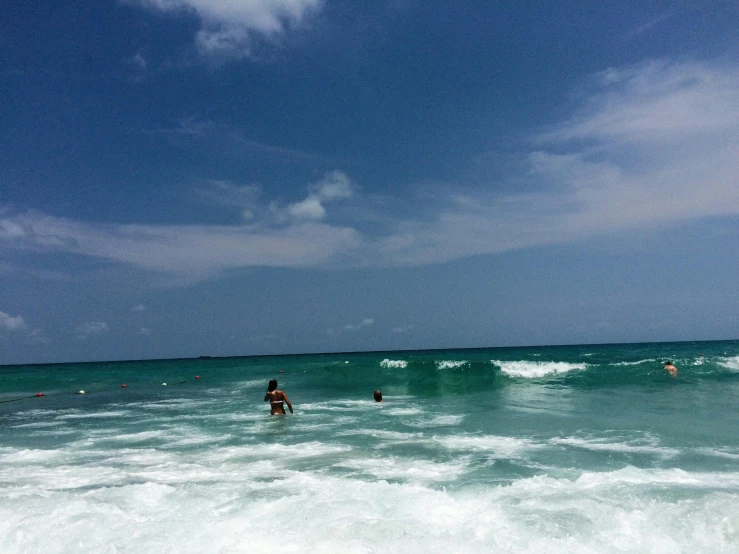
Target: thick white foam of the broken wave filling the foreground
(624,511)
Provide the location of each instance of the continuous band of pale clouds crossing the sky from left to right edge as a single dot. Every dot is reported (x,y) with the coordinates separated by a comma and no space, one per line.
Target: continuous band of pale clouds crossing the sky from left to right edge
(648,144)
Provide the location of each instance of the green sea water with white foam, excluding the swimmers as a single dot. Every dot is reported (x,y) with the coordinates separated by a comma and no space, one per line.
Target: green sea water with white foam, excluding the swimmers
(548,449)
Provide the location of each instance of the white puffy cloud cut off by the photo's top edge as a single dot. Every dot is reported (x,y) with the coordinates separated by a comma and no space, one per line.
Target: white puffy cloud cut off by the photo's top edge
(229,27)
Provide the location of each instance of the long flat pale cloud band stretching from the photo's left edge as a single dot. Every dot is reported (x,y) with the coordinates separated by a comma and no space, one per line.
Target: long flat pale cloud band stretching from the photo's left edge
(196,251)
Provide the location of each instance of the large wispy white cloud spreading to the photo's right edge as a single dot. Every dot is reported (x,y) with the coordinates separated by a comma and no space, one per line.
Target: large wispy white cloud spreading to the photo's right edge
(655,144)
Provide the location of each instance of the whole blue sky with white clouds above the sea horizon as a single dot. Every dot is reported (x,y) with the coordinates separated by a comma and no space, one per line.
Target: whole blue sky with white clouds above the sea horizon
(246,177)
